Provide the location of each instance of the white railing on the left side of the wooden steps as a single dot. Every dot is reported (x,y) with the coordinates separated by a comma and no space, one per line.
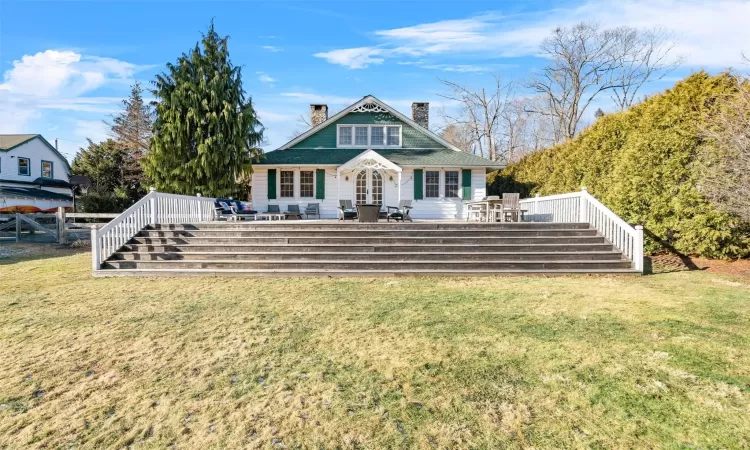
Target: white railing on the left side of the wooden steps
(156,207)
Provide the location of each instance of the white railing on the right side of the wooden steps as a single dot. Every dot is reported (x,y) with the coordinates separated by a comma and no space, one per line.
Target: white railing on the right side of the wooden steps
(583,207)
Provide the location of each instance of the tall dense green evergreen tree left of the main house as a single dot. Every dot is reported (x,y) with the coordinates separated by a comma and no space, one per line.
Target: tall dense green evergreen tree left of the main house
(206,132)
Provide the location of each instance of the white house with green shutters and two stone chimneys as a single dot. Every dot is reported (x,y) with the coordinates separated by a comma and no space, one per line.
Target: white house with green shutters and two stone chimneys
(370,153)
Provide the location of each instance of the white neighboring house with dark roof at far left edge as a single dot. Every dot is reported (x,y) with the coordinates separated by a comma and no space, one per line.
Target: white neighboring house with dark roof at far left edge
(33,175)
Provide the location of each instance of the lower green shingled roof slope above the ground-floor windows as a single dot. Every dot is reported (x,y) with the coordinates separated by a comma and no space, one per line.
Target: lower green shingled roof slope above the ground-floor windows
(400,156)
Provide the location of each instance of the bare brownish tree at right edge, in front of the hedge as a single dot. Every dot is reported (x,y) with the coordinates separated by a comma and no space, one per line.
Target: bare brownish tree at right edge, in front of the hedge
(726,180)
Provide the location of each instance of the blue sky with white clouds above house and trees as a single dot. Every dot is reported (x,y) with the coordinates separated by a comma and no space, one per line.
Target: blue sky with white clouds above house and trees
(66,65)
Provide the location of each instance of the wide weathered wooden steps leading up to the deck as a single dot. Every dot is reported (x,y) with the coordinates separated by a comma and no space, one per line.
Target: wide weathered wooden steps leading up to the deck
(320,248)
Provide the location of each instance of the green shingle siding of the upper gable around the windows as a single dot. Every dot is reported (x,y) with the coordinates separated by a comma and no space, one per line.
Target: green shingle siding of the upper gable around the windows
(326,138)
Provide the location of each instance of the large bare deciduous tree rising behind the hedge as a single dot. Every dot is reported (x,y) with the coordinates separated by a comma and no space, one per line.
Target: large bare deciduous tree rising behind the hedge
(586,60)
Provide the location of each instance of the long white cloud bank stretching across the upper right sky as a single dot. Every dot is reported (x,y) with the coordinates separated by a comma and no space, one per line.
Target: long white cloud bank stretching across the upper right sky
(710,34)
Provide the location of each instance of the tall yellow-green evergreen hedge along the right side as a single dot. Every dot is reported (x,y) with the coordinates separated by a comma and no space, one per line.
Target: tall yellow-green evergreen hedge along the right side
(644,164)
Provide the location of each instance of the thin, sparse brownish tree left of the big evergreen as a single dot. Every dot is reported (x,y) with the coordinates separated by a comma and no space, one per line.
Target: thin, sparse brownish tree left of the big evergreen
(132,130)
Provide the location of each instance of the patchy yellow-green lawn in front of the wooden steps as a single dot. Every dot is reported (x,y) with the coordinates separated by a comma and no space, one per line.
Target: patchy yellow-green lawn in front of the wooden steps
(632,362)
